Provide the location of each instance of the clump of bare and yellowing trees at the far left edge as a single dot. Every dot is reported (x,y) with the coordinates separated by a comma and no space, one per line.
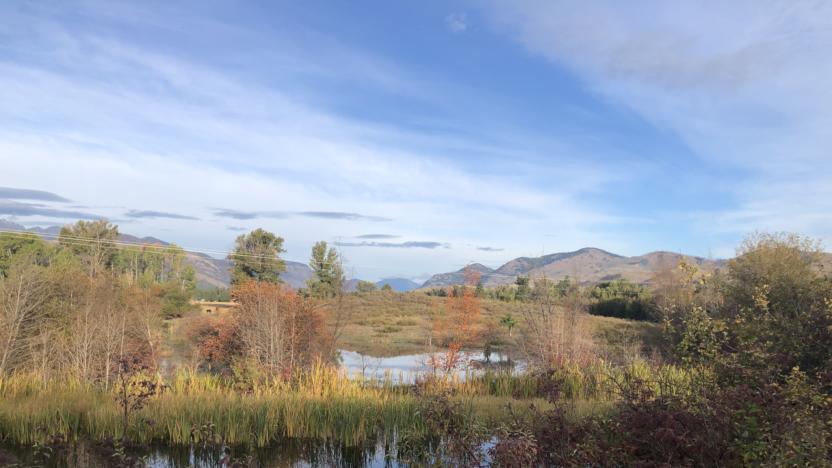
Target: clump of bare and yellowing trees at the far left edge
(75,308)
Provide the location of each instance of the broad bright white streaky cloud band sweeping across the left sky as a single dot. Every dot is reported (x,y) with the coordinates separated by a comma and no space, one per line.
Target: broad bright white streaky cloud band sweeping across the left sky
(121,126)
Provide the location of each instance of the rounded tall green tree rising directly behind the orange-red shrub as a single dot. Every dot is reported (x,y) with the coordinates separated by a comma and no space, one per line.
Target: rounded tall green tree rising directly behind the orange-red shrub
(256,256)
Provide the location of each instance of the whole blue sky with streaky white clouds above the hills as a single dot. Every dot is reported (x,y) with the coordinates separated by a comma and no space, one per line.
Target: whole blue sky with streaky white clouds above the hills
(422,136)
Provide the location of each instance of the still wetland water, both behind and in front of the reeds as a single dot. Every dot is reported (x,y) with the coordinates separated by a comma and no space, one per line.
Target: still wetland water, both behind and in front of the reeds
(285,452)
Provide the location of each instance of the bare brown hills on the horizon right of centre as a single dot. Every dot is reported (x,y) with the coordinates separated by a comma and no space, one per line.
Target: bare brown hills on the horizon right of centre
(589,265)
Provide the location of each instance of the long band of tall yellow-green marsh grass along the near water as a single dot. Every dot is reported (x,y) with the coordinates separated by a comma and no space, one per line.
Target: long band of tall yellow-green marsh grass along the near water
(321,403)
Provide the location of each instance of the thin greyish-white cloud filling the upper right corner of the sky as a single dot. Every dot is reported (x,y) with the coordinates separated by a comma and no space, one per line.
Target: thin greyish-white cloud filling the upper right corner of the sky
(742,84)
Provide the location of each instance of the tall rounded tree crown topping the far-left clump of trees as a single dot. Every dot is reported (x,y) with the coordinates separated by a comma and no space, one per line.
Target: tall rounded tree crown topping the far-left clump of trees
(93,242)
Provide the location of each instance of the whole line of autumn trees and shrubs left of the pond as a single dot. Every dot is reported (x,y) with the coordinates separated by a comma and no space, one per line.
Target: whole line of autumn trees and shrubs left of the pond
(78,306)
